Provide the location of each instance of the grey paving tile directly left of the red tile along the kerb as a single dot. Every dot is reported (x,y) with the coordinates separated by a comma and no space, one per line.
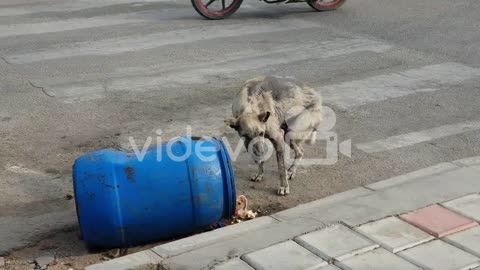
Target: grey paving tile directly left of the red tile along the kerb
(394,234)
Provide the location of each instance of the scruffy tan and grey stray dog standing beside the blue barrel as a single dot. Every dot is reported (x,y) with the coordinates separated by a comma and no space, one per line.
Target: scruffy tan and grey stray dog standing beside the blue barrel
(281,110)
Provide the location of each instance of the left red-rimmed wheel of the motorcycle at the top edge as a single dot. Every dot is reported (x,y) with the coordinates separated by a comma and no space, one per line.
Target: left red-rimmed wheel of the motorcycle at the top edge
(216,9)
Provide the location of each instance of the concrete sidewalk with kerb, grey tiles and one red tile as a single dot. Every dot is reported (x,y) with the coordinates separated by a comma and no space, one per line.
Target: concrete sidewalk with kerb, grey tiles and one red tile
(426,219)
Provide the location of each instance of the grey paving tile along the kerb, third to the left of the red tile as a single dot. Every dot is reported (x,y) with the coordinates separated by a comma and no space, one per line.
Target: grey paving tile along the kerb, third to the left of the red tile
(284,256)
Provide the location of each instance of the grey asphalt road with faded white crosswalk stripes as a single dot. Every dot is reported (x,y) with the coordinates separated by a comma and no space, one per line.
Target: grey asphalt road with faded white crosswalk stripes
(402,78)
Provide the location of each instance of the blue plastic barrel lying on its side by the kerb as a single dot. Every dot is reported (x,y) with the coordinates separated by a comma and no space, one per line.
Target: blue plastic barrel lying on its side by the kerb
(179,187)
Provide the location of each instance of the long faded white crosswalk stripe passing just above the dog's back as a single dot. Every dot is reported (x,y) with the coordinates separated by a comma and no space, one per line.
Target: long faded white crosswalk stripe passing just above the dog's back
(136,79)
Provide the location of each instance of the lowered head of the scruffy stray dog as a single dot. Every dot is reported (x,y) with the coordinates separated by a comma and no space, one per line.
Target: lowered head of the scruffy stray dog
(251,127)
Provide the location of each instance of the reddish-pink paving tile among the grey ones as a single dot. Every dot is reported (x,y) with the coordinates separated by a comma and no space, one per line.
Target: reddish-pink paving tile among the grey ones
(438,220)
